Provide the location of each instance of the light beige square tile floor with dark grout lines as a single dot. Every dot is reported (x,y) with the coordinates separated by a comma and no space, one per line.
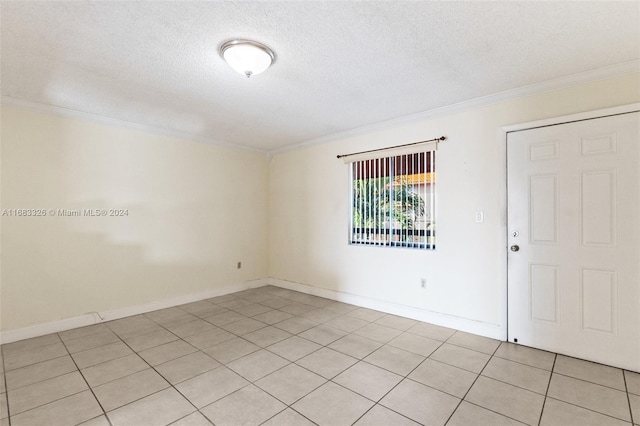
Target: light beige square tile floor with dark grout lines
(276,357)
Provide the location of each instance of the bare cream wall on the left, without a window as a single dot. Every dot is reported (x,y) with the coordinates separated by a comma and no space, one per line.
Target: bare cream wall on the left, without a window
(195,210)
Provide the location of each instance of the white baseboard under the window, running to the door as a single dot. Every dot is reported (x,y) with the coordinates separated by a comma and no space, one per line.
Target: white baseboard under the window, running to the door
(485,329)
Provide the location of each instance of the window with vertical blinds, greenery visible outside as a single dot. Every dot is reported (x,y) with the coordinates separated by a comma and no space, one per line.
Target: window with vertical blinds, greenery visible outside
(393,201)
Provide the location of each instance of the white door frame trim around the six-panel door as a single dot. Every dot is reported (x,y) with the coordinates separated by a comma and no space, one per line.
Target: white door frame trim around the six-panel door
(504,134)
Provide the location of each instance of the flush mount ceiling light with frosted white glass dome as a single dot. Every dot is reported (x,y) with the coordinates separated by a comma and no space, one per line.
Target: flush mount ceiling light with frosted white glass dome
(247,57)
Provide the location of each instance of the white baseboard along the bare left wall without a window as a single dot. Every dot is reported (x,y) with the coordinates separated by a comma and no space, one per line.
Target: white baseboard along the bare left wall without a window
(98,317)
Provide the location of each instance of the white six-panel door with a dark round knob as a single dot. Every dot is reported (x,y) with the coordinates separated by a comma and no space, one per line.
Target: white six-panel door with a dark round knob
(574,219)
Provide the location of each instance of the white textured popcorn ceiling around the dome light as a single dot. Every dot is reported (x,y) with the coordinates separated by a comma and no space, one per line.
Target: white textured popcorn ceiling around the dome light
(339,66)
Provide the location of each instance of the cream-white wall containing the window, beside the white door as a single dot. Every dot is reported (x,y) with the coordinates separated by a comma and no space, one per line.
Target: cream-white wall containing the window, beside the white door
(466,275)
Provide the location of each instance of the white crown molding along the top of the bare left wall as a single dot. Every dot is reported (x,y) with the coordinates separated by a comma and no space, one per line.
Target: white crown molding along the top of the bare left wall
(100,119)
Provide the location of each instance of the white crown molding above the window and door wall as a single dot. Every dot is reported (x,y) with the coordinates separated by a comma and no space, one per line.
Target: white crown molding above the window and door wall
(597,74)
